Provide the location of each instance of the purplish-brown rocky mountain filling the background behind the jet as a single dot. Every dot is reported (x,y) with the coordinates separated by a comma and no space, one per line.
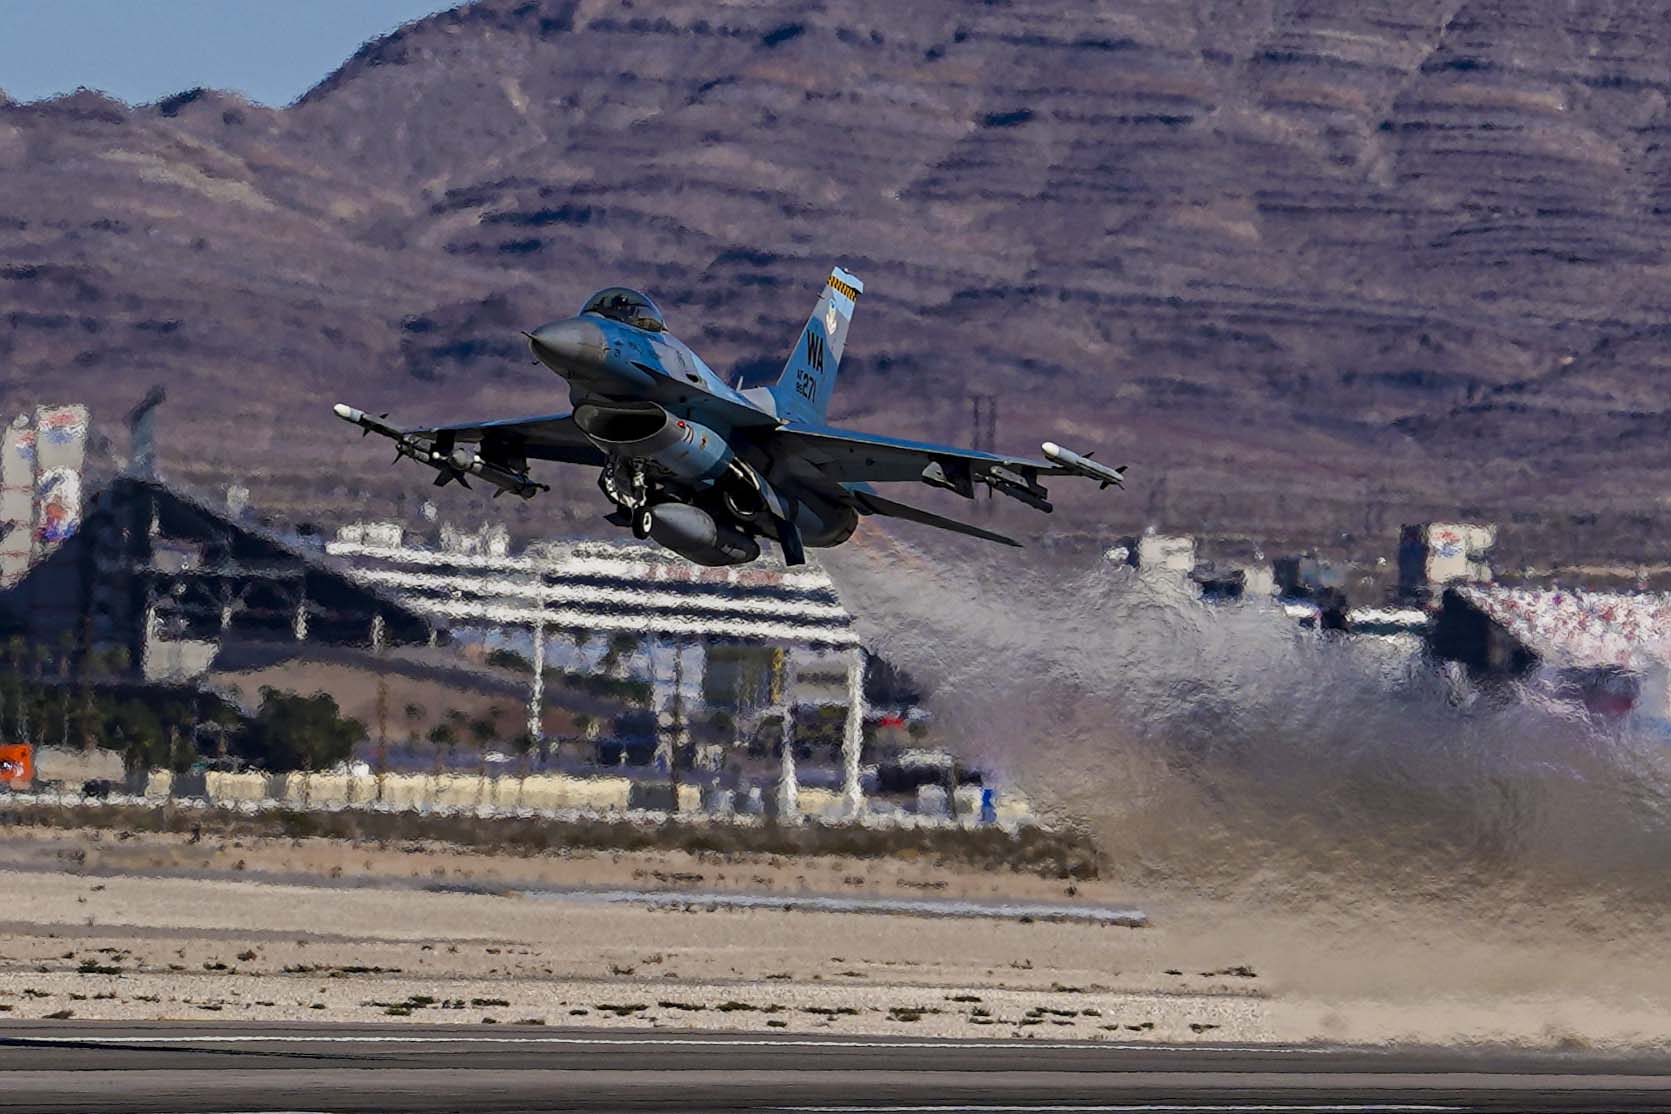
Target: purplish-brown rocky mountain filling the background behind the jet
(1313,270)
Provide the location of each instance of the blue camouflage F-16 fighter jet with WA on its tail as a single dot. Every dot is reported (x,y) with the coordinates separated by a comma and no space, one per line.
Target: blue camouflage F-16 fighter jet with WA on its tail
(706,468)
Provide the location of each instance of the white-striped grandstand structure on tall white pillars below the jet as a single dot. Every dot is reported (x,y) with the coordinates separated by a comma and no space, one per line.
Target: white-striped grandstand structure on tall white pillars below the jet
(552,589)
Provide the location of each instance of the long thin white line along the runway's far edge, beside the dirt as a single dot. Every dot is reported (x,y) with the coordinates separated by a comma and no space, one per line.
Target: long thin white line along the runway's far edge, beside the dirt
(696,1043)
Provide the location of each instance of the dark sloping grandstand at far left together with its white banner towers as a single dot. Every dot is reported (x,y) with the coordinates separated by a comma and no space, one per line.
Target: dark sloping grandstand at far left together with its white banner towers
(170,582)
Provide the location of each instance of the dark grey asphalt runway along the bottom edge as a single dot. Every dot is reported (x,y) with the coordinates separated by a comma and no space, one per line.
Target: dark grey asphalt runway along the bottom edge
(223,1068)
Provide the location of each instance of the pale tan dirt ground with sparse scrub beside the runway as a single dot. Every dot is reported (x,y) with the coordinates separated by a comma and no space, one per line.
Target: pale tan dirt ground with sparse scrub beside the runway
(104,924)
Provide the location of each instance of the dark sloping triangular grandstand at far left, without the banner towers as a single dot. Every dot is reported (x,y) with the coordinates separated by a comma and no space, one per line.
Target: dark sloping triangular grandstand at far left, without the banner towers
(161,589)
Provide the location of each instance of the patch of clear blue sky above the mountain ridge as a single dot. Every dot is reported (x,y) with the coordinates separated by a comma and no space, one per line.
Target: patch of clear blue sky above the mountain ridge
(270,51)
